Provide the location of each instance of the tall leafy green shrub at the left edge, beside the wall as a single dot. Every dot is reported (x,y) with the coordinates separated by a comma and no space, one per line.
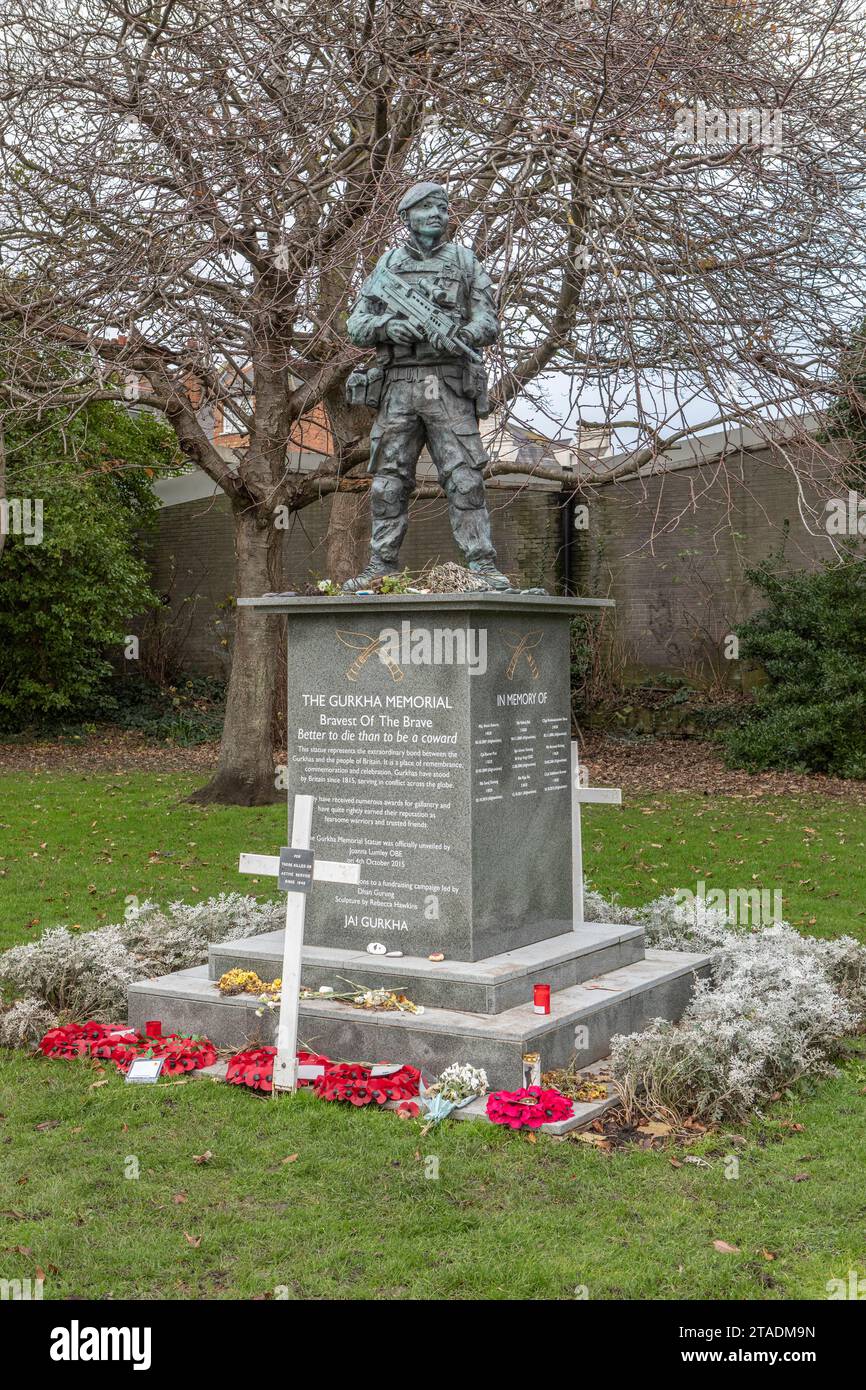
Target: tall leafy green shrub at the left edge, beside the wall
(67,601)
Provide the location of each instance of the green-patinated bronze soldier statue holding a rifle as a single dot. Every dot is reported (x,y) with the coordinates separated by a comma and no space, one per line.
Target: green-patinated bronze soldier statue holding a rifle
(429,311)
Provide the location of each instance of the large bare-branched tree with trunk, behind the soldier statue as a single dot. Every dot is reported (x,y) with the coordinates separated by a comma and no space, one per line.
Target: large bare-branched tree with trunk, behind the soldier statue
(195,188)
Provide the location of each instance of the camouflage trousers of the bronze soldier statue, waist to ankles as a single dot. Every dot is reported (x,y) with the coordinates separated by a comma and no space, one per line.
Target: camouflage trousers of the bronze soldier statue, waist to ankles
(426,407)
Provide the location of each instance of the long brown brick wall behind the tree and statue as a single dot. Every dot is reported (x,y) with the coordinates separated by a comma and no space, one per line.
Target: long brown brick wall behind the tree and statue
(671,550)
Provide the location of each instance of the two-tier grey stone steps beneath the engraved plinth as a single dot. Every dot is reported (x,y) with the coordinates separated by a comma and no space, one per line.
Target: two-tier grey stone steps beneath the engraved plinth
(604,982)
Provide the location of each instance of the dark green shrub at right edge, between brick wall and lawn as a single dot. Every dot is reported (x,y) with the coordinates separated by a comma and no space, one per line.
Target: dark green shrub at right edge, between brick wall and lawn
(811,643)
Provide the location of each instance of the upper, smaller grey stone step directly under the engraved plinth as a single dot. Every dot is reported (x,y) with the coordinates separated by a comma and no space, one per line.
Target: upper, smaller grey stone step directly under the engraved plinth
(491,986)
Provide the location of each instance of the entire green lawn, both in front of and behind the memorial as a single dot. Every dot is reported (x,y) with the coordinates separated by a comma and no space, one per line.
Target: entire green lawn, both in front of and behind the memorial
(358,1214)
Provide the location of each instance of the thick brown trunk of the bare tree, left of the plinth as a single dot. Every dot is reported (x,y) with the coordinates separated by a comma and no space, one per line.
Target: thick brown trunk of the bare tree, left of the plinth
(245,774)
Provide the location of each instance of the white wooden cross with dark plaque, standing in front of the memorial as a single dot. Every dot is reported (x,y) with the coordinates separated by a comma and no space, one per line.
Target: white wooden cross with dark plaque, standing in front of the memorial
(327,871)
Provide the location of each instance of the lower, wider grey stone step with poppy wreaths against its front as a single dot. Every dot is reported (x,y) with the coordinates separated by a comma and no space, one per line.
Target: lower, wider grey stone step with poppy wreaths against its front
(621,1001)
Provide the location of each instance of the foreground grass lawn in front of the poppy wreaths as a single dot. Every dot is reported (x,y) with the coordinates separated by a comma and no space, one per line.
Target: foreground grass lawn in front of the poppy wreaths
(357,1217)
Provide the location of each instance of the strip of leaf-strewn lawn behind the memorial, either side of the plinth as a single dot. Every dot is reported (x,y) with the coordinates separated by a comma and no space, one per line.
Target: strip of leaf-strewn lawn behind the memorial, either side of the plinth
(74,847)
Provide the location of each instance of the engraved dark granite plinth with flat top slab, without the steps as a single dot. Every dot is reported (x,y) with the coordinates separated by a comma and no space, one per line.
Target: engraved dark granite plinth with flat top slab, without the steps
(434,733)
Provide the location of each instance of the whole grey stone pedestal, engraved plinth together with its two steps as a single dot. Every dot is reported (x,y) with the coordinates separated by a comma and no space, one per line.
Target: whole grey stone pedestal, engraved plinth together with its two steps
(434,733)
